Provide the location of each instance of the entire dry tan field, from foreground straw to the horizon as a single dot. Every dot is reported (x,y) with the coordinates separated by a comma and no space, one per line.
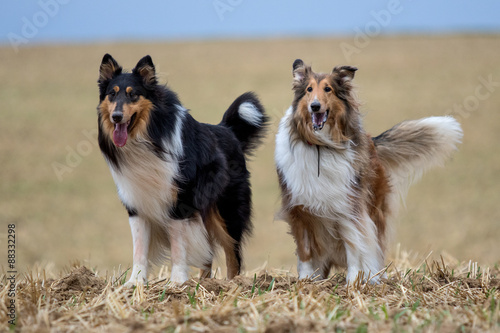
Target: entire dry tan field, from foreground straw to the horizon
(48,98)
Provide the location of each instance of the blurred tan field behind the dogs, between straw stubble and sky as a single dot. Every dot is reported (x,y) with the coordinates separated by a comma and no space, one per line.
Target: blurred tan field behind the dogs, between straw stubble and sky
(49,96)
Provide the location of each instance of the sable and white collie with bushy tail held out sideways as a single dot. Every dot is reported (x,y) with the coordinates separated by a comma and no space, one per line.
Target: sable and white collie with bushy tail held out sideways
(339,185)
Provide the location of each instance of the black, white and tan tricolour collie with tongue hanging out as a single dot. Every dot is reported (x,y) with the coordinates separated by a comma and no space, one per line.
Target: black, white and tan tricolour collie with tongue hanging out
(184,184)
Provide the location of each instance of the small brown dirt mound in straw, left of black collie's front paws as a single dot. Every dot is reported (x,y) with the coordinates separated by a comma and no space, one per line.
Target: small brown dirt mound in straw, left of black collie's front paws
(80,280)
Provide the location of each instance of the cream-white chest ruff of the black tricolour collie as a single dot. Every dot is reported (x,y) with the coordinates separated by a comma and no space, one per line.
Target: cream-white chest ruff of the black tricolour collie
(146,182)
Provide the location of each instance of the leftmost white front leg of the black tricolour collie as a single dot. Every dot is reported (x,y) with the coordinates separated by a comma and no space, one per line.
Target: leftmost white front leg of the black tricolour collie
(141,234)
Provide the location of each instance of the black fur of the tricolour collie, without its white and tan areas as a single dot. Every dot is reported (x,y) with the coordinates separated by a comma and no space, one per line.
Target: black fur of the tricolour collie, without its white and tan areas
(212,172)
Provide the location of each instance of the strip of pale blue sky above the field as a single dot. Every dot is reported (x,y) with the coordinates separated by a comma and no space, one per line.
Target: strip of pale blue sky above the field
(76,21)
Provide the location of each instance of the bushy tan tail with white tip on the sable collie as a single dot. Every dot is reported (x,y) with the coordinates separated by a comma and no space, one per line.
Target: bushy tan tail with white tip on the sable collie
(412,147)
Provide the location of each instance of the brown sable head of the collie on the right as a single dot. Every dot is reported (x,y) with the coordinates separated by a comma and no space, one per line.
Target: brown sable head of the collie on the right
(325,109)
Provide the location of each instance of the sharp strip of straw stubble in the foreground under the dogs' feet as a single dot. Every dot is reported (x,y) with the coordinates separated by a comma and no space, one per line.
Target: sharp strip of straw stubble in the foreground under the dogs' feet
(419,297)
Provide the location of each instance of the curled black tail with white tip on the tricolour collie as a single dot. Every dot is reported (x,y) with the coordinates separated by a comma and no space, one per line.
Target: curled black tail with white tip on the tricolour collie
(246,117)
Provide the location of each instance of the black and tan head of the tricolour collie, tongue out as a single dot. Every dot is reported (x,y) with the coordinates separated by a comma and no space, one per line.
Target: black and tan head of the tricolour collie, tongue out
(125,99)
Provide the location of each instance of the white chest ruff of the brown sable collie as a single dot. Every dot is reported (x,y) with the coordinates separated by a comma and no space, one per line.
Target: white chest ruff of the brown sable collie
(329,194)
